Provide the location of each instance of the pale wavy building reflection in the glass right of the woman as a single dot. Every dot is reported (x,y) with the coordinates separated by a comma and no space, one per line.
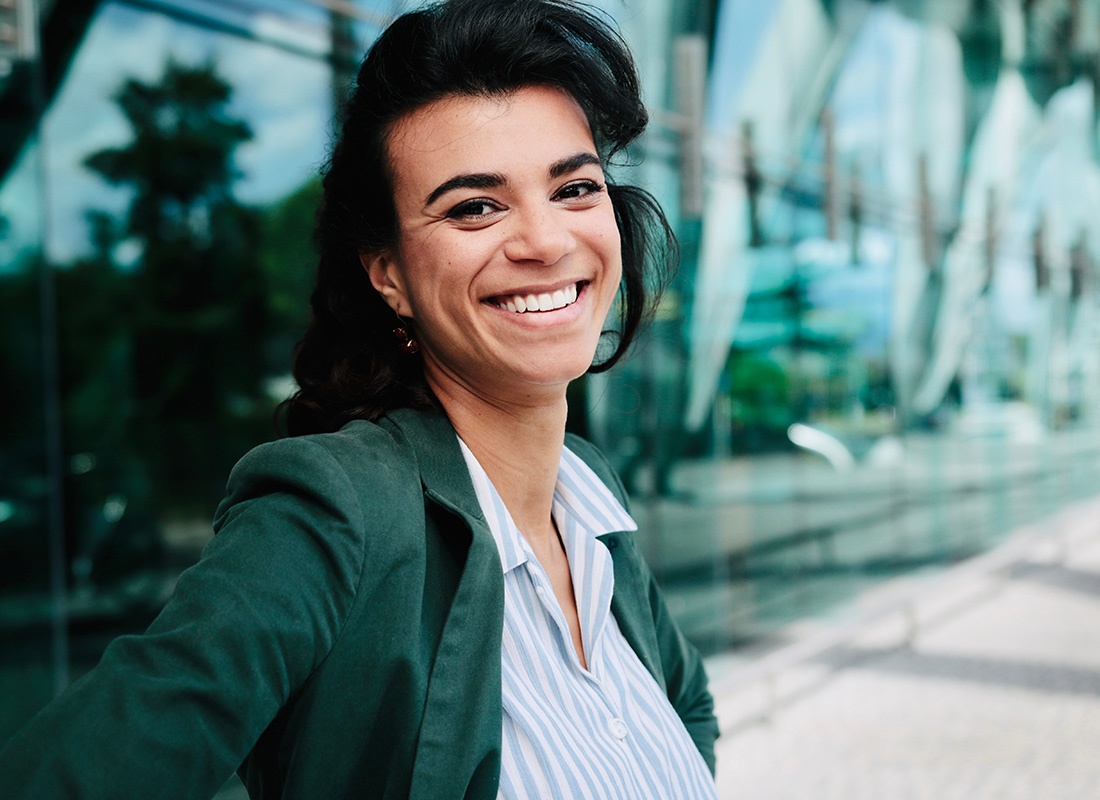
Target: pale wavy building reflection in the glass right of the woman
(947,135)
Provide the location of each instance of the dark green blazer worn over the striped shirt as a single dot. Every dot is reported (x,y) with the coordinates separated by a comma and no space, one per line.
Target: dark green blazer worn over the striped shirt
(340,638)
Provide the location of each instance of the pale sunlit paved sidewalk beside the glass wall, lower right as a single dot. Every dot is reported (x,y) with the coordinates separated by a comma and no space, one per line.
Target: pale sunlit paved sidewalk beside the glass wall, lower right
(1002,700)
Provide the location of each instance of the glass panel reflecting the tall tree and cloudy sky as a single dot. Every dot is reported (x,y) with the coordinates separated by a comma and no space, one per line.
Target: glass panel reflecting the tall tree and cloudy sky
(182,248)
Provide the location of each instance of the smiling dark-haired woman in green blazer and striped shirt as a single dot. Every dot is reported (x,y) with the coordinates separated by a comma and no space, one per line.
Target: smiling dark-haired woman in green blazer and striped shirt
(425,591)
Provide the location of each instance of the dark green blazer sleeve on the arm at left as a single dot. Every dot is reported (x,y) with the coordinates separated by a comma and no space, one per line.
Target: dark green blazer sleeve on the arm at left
(174,711)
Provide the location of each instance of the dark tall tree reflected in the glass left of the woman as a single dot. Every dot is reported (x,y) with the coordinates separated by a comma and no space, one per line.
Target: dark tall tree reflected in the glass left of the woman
(188,321)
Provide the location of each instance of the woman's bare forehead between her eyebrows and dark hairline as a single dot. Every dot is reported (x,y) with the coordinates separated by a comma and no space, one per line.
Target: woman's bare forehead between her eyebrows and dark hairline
(530,128)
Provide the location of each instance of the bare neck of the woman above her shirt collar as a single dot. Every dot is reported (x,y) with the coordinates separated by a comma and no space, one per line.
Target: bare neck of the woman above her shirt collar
(520,446)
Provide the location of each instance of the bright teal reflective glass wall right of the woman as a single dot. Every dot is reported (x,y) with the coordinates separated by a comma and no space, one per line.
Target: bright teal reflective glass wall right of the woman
(881,356)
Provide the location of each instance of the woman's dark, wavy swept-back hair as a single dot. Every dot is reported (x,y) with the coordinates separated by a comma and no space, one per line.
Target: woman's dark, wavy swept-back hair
(348,366)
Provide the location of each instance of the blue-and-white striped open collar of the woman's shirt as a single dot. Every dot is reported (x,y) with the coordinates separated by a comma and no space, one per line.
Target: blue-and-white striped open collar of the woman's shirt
(579,494)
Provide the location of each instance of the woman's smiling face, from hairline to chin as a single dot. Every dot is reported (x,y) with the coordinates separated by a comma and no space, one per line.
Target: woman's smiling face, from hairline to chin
(508,254)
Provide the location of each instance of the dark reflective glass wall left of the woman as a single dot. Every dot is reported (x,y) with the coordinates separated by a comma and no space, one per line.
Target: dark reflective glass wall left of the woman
(158,185)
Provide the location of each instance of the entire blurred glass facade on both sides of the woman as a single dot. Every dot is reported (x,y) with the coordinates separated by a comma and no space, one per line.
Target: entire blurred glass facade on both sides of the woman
(879,358)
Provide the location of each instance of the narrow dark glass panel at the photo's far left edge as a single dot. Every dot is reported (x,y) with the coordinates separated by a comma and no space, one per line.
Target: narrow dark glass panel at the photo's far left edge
(27,610)
